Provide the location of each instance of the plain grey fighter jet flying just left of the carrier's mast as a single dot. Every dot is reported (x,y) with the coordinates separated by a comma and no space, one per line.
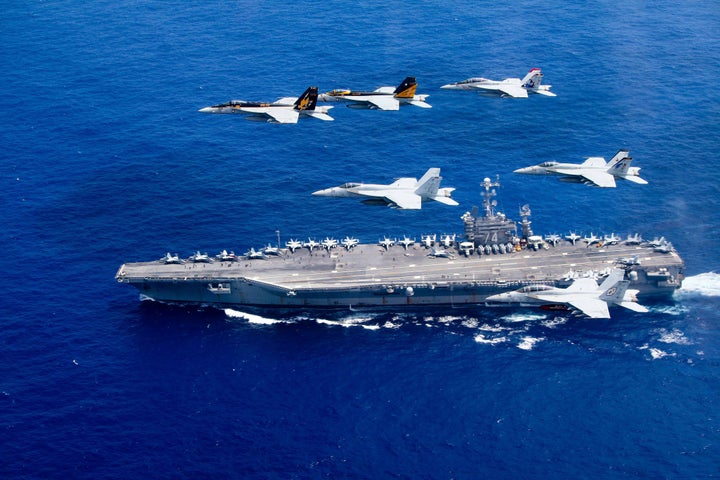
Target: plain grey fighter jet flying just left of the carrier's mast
(404,193)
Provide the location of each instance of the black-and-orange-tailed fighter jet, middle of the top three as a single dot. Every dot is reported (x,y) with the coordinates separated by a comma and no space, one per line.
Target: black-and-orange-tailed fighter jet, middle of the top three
(383,98)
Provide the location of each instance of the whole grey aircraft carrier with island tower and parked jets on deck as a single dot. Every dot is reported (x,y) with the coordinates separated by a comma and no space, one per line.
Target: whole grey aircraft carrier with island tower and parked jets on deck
(493,255)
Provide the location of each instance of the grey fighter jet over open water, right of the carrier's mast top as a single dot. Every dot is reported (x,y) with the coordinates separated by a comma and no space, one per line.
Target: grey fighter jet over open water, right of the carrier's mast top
(593,171)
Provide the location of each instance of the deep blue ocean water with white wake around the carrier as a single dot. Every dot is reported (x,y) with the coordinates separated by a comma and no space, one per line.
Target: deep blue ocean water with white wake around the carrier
(105,160)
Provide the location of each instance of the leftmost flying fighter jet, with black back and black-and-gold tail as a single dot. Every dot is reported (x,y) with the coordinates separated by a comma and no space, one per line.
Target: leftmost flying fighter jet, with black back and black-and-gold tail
(284,110)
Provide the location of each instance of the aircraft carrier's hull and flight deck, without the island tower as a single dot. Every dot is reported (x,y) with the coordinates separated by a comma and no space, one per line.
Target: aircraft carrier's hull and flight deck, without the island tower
(370,276)
